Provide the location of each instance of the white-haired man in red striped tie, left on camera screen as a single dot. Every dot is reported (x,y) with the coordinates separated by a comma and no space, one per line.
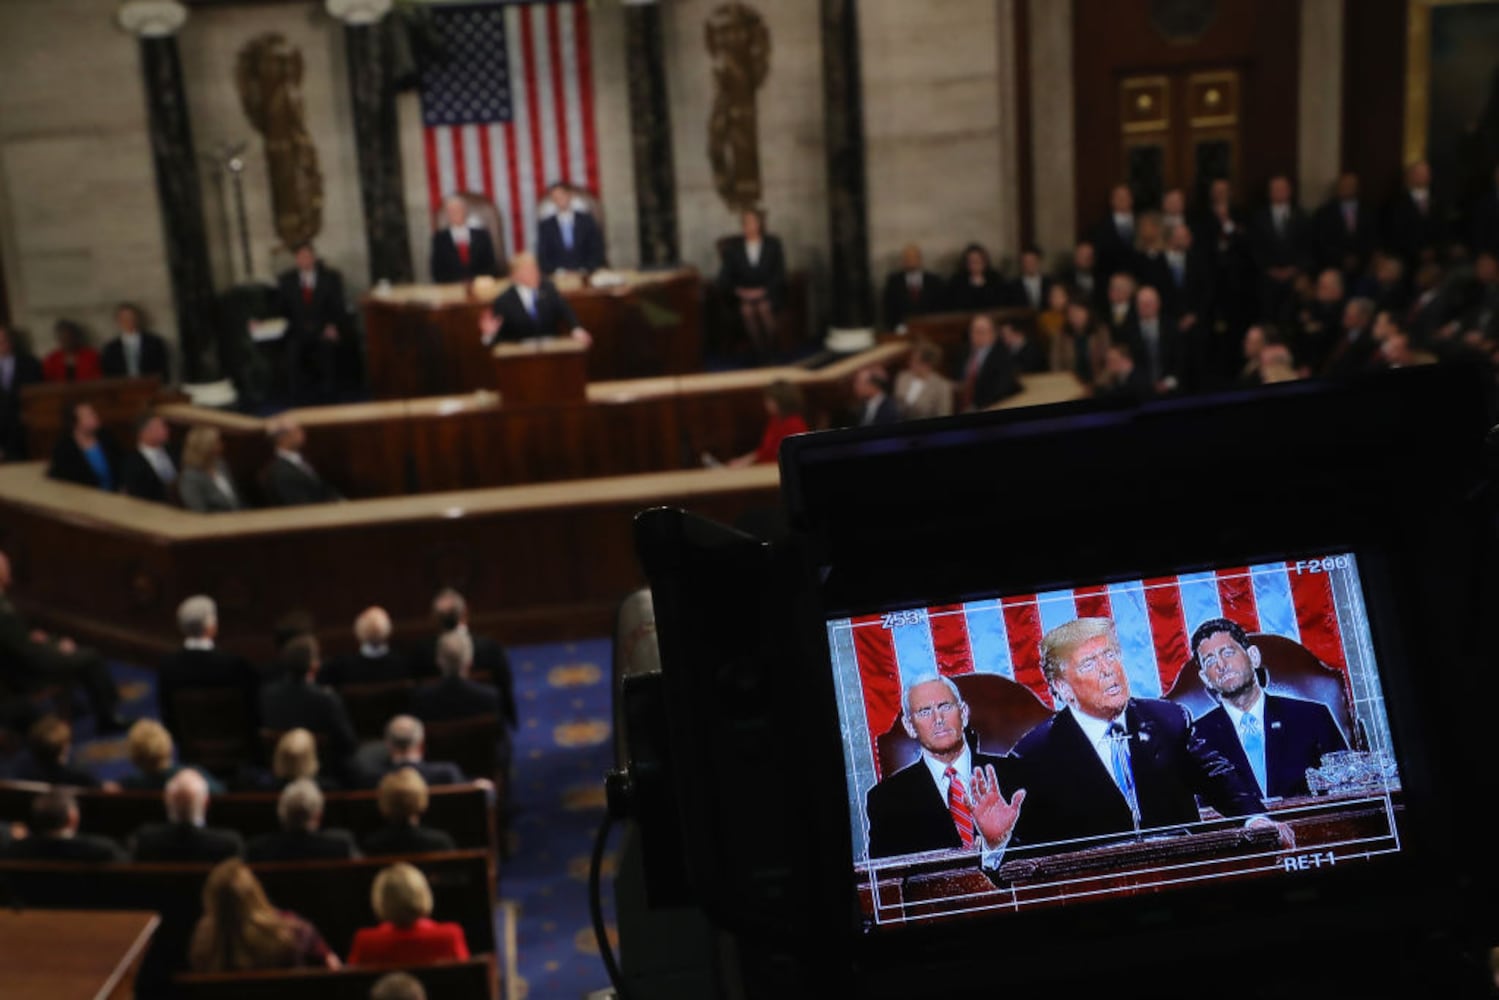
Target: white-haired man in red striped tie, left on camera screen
(929,804)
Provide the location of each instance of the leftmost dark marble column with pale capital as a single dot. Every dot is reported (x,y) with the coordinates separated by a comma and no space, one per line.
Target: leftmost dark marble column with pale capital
(155,23)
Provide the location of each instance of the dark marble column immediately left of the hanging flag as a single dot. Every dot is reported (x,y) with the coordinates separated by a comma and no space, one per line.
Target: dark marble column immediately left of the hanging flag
(377,137)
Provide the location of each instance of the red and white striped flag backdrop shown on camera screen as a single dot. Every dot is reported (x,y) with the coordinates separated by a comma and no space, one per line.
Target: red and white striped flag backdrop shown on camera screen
(1153,618)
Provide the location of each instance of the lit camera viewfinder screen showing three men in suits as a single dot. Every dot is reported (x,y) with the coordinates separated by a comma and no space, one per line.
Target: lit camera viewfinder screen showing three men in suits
(1043,750)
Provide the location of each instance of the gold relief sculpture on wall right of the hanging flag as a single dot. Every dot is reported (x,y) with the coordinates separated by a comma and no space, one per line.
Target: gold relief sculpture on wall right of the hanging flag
(740,47)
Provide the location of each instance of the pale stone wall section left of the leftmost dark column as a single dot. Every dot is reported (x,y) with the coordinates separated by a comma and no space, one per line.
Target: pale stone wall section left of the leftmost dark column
(80,229)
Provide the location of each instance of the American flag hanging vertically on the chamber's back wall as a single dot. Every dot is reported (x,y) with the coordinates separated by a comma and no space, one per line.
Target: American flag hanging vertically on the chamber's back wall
(512,109)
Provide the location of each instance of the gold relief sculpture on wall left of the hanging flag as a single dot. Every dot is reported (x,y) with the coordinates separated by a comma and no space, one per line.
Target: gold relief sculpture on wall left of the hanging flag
(269,79)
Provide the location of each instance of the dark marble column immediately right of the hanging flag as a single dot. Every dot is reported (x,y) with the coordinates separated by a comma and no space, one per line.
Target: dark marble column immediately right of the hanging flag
(651,136)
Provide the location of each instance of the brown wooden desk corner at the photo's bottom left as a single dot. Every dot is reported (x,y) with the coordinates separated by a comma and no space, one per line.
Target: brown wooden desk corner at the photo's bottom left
(73,954)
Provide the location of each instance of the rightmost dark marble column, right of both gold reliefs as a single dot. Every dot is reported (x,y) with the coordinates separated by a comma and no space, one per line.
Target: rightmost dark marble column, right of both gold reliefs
(852,307)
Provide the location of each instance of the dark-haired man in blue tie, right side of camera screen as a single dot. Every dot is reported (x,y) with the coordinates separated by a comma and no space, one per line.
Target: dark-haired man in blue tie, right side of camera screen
(1270,738)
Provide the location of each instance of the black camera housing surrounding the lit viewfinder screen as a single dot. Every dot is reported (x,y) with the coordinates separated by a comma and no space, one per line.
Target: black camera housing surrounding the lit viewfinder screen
(741,753)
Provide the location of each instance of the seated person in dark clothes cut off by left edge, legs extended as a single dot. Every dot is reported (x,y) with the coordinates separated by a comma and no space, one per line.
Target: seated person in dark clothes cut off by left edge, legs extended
(32,660)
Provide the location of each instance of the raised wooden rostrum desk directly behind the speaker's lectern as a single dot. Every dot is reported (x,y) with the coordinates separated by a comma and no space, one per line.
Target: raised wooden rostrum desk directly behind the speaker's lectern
(423,340)
